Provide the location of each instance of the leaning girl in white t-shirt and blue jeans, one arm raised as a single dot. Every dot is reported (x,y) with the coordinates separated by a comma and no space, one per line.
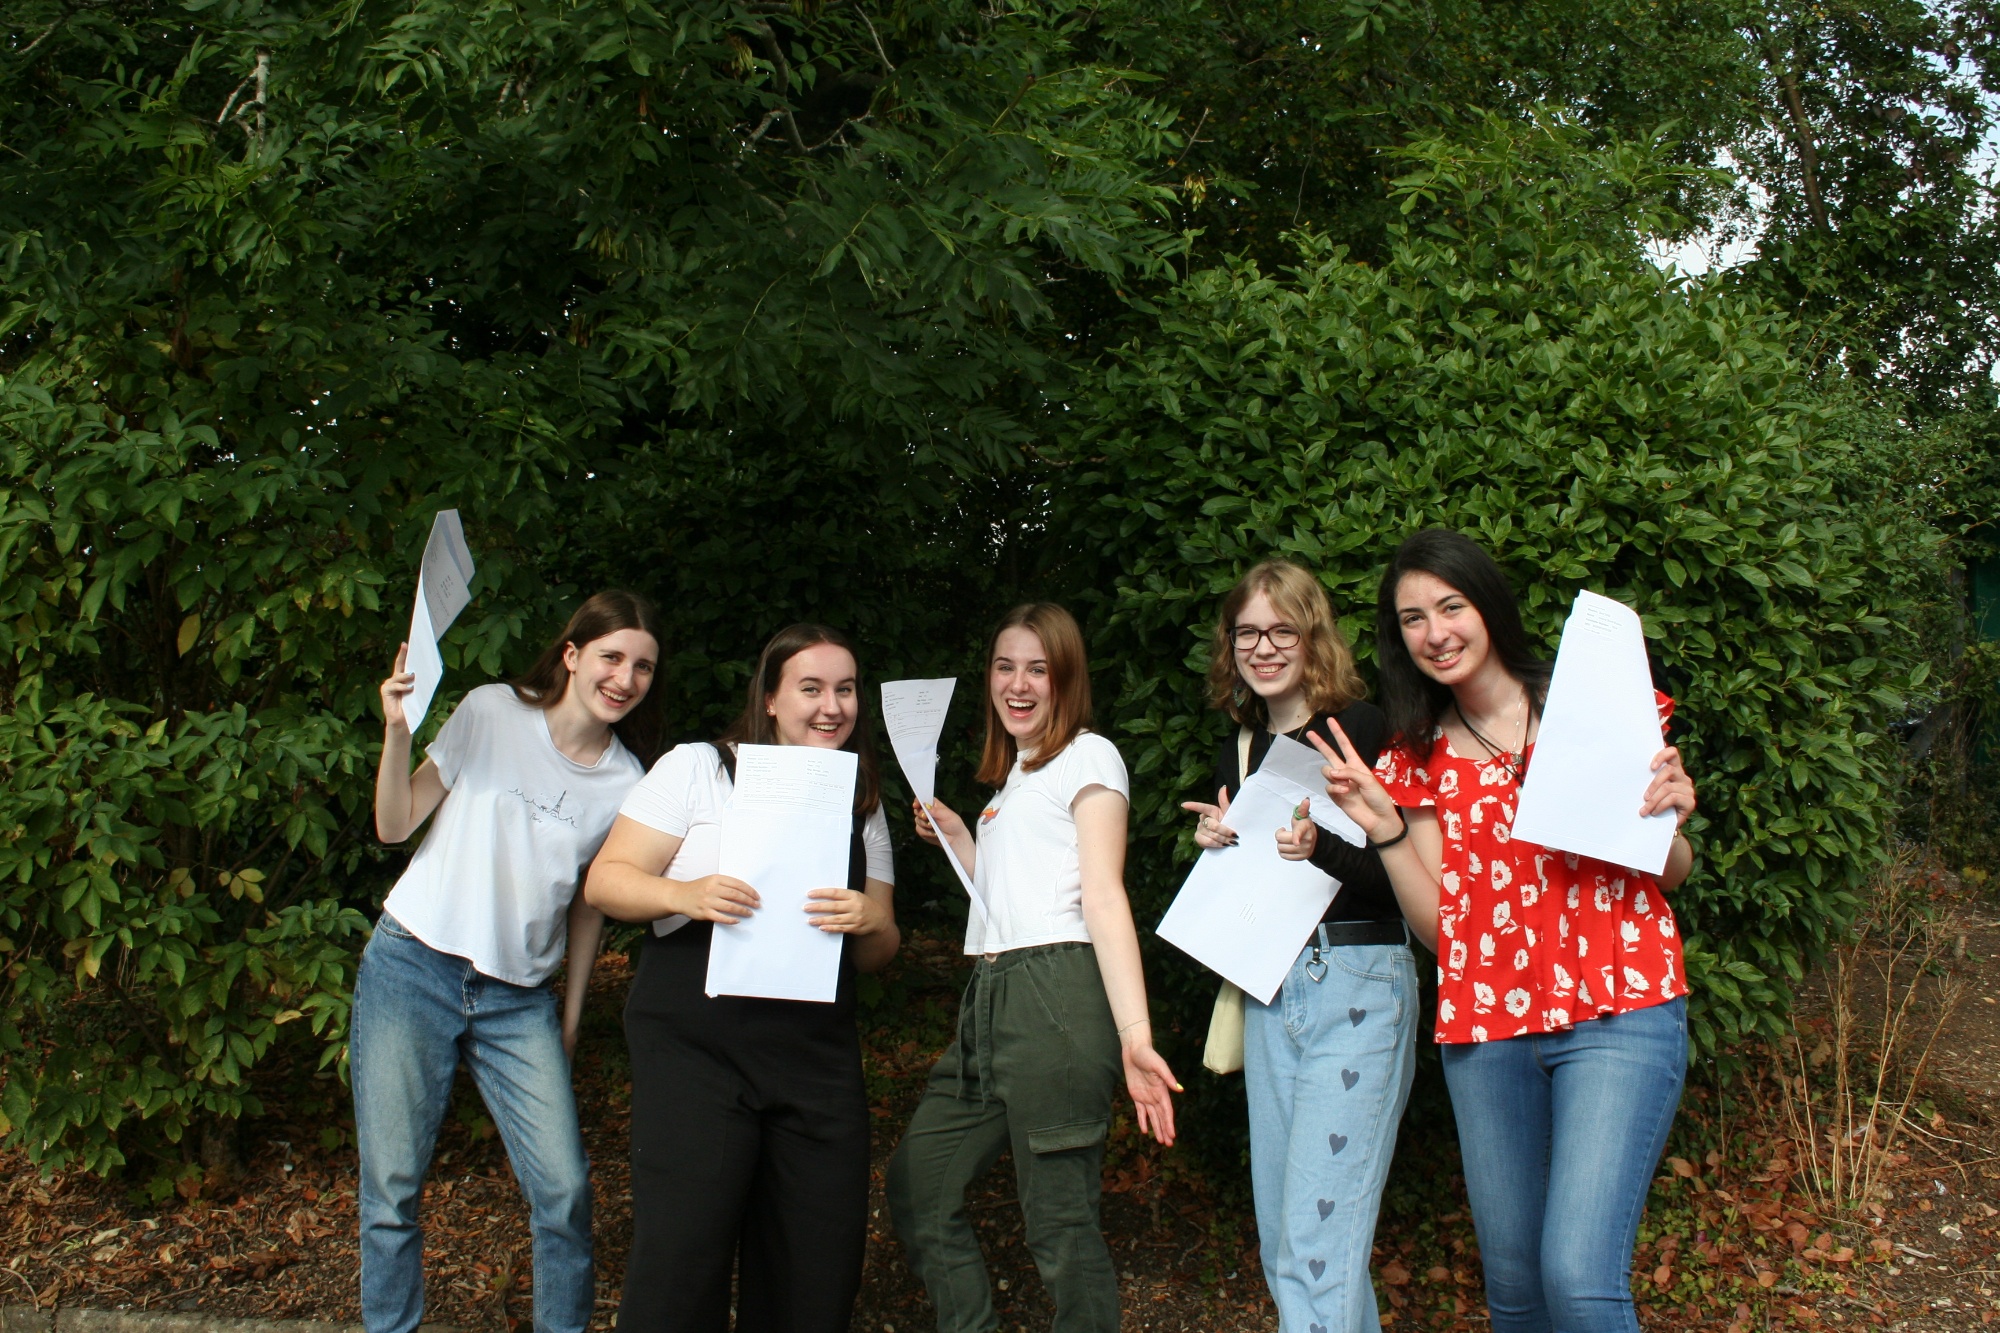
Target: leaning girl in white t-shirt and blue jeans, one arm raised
(525,782)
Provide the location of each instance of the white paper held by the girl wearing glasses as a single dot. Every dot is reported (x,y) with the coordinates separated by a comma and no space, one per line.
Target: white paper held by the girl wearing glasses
(1247,912)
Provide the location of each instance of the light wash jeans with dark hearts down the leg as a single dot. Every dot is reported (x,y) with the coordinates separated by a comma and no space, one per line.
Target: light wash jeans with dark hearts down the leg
(1327,1068)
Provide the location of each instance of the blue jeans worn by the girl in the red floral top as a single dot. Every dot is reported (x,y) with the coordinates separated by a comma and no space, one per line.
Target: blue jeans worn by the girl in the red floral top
(1561,1136)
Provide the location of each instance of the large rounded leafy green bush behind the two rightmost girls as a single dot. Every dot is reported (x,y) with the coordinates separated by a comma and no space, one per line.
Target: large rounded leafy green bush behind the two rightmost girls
(1517,371)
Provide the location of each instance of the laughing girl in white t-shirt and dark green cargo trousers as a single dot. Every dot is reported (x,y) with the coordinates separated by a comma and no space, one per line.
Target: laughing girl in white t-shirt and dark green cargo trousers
(1057,1006)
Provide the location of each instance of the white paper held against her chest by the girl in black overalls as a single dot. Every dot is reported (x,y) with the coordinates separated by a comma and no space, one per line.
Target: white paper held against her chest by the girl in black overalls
(787,830)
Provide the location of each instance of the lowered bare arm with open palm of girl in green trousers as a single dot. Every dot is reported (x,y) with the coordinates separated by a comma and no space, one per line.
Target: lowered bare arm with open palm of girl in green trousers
(1101,844)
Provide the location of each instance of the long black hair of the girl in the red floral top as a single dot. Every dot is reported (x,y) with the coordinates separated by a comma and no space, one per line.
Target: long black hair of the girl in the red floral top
(1411,700)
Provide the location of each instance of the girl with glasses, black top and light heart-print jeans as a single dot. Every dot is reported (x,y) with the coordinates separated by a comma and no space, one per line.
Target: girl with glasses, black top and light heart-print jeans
(1329,1062)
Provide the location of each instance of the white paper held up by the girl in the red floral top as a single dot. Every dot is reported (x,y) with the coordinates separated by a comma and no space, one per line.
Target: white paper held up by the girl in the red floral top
(1593,758)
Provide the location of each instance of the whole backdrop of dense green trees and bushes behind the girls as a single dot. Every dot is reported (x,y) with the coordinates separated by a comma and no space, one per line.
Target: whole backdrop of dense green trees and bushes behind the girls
(809,309)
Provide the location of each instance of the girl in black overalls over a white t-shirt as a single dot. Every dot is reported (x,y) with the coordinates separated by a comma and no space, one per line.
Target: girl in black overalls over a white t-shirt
(749,1116)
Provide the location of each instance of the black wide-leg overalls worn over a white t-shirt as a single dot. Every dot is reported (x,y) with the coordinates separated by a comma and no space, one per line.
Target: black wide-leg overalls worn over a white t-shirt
(749,1146)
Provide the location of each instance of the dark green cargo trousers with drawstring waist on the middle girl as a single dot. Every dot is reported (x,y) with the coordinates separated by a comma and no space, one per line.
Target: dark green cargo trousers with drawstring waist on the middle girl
(1035,1070)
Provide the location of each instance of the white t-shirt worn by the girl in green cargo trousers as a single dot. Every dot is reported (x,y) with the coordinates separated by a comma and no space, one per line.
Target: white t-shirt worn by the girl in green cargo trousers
(1029,868)
